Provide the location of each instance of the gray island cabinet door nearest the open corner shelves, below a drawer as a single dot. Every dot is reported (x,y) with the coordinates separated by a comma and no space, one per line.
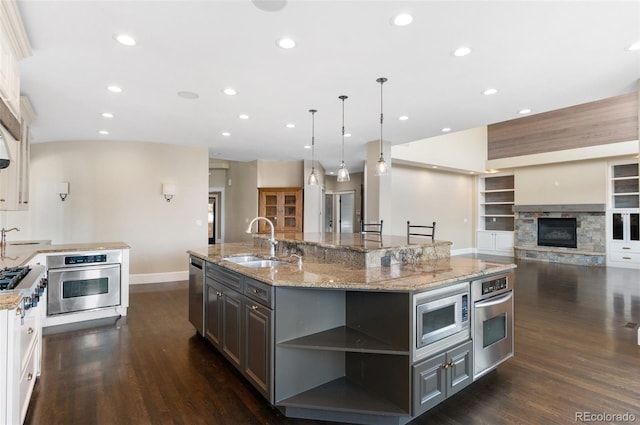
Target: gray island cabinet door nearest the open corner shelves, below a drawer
(257,346)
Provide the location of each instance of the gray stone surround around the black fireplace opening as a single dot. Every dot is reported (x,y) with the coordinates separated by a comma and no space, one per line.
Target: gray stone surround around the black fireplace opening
(591,233)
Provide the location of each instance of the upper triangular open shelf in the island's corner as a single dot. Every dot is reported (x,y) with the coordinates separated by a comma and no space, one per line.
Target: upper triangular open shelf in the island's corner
(343,338)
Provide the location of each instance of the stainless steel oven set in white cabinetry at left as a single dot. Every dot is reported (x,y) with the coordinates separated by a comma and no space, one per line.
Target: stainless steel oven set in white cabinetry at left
(83,282)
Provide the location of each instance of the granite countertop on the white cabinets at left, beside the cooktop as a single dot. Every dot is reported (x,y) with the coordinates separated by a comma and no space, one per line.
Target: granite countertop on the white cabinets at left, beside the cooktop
(19,253)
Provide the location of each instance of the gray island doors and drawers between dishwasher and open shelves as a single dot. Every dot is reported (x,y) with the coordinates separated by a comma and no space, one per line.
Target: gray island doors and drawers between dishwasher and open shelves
(238,321)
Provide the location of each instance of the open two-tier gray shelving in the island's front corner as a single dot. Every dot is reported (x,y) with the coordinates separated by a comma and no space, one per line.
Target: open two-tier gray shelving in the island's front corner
(342,353)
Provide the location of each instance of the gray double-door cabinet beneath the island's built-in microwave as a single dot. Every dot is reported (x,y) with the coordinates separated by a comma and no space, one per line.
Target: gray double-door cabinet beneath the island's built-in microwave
(441,376)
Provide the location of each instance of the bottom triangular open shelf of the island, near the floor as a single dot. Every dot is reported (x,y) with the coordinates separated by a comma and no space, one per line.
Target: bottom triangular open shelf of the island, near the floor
(344,395)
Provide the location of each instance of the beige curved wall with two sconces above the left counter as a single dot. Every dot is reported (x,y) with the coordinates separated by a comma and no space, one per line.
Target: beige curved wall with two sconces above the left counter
(115,195)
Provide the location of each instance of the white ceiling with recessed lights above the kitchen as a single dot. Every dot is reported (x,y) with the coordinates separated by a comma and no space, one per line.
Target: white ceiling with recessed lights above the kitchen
(541,55)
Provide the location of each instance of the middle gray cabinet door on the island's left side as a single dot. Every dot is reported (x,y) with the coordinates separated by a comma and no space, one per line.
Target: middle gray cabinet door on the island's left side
(232,326)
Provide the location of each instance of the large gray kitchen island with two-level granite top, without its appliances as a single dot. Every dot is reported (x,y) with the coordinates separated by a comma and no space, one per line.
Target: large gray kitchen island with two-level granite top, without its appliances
(333,337)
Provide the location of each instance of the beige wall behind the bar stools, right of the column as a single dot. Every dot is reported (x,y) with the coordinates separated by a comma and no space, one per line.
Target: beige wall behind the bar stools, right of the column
(423,196)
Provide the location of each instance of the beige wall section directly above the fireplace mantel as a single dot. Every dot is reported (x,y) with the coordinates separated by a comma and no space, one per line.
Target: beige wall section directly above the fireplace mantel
(580,182)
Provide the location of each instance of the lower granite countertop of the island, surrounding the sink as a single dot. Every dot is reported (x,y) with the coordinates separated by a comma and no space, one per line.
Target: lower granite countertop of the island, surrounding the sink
(319,274)
